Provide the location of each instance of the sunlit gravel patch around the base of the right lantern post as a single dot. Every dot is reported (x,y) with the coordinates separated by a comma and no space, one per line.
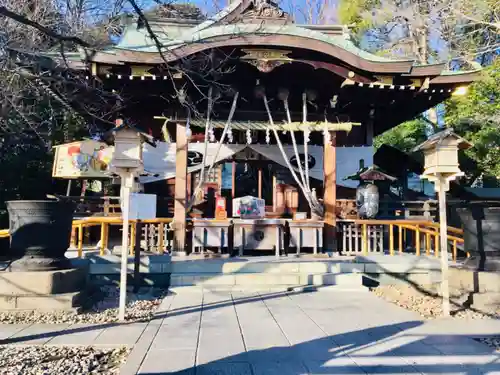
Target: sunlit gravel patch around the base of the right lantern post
(428,307)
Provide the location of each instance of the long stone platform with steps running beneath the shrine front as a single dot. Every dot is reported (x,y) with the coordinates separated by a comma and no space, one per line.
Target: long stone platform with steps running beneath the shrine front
(265,272)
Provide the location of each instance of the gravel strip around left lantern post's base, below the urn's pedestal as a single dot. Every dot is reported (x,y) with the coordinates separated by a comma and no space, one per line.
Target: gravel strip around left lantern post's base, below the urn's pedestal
(141,306)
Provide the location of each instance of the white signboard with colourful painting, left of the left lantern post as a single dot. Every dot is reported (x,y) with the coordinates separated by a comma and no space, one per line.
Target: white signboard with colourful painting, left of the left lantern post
(84,159)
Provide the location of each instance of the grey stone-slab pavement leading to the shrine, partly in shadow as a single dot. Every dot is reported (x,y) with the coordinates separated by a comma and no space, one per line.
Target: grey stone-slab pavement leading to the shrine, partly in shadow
(257,333)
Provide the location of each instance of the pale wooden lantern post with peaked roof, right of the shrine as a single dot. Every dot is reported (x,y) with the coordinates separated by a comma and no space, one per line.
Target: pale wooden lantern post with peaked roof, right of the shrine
(441,167)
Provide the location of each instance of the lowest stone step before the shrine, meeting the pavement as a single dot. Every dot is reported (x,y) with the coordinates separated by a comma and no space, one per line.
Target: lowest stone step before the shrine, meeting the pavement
(266,279)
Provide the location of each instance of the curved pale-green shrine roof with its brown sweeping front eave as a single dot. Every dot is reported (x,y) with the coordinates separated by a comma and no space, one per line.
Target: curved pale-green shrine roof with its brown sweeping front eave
(234,27)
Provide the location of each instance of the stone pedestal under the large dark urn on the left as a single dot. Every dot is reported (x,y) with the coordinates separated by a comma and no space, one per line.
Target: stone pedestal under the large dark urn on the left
(43,290)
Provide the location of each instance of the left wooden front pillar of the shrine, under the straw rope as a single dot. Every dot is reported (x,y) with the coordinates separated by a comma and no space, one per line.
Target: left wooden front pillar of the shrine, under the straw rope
(180,201)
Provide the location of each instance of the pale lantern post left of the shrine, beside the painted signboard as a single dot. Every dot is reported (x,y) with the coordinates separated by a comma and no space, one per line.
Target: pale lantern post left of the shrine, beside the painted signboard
(127,163)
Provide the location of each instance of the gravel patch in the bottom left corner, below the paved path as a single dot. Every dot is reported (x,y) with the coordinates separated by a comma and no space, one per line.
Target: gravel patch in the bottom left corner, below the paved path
(58,360)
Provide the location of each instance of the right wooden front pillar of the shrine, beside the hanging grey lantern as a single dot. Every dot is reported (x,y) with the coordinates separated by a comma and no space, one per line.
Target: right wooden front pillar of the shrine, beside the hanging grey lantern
(330,193)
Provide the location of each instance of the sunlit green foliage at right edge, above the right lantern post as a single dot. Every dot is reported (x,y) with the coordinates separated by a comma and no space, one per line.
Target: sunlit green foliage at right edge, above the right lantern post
(476,116)
